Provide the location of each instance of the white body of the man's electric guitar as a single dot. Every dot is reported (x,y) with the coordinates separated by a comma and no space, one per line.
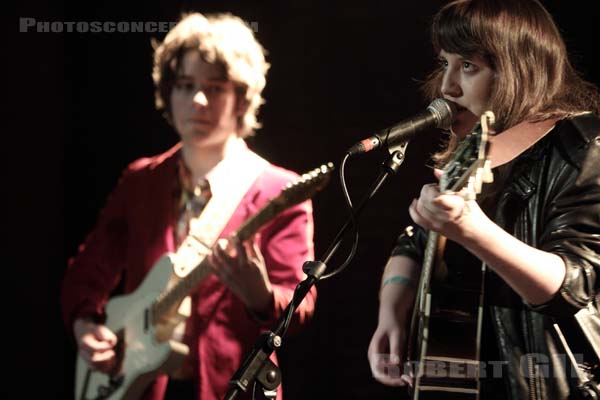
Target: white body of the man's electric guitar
(147,349)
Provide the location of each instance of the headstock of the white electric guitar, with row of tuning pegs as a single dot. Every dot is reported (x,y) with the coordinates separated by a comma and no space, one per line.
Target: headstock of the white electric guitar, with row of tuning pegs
(306,186)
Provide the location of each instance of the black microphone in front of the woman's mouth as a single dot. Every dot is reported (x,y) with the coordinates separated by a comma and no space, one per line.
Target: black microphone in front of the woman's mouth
(439,114)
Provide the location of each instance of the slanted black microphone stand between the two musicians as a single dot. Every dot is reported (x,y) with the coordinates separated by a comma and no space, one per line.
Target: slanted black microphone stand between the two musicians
(257,365)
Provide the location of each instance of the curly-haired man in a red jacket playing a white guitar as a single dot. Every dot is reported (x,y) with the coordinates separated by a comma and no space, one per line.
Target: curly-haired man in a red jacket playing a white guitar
(209,74)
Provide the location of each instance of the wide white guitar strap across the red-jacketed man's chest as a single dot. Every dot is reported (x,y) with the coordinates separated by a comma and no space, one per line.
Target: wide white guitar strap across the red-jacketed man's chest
(230,181)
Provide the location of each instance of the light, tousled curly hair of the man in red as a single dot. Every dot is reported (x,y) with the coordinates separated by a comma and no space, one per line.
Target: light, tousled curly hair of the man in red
(220,38)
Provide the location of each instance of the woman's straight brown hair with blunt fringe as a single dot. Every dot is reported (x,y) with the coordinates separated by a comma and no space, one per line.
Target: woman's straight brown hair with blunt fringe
(521,42)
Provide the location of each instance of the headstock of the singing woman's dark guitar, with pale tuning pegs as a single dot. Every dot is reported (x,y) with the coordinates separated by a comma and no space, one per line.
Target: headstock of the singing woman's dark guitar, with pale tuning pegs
(469,166)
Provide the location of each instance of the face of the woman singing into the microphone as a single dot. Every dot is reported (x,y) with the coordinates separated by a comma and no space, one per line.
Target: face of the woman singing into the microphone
(468,82)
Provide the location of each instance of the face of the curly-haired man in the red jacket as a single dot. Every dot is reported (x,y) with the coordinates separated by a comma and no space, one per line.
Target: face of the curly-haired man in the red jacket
(204,104)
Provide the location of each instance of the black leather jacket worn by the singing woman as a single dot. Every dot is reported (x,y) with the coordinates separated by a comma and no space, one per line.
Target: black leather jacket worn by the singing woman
(551,201)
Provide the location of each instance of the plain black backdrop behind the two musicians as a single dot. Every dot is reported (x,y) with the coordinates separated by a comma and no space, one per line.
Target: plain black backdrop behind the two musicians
(80,108)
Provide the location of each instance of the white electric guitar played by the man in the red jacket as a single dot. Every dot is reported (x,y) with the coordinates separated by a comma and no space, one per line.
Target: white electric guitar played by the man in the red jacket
(146,320)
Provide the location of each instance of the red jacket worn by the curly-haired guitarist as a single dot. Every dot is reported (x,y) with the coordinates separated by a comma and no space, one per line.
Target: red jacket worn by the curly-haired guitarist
(135,229)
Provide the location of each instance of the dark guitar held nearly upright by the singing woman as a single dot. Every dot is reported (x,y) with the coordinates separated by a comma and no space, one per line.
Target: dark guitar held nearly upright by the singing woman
(443,346)
